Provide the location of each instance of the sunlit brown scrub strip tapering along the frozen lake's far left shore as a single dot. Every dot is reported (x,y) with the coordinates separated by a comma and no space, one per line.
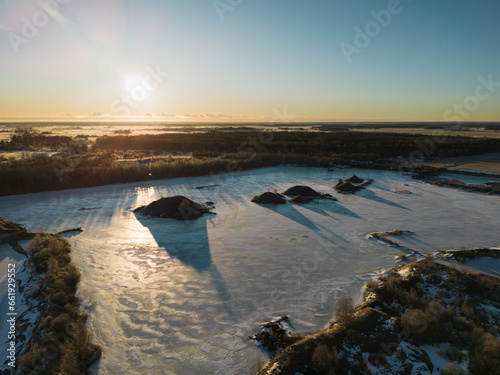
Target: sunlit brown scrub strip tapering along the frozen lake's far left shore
(43,173)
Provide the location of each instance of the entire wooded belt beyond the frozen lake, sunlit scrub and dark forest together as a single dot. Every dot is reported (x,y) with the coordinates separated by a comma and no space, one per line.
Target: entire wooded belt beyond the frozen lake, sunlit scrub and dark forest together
(218,152)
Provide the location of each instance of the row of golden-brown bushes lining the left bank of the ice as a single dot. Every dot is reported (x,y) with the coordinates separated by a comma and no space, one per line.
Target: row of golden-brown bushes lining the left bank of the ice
(50,256)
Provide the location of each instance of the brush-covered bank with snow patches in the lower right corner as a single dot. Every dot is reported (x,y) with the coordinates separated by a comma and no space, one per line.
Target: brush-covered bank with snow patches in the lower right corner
(360,342)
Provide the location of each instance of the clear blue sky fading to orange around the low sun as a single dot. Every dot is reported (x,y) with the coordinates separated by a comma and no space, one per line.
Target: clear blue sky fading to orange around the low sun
(249,60)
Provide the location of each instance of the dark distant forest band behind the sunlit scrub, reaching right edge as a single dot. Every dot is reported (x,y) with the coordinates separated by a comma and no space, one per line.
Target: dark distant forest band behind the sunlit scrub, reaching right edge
(305,143)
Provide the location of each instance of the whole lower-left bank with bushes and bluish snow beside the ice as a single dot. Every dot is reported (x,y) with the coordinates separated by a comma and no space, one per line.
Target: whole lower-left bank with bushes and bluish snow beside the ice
(48,311)
